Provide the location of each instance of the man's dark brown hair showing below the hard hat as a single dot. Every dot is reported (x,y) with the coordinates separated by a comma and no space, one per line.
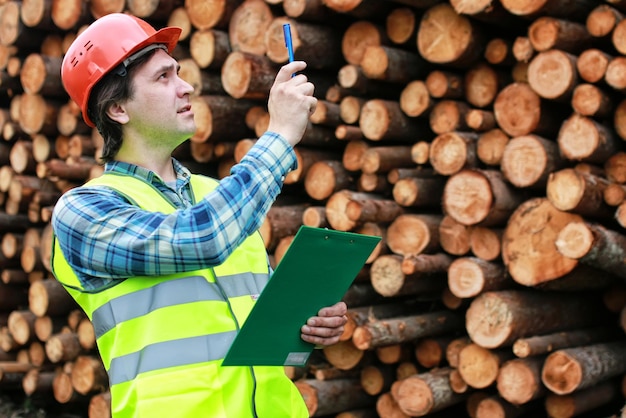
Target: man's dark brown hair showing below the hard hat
(114,87)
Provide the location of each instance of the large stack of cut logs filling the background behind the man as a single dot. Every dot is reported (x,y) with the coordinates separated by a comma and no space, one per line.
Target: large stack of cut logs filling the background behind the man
(485,141)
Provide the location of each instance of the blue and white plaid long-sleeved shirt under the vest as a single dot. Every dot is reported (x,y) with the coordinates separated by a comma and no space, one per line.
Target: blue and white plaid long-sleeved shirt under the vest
(105,238)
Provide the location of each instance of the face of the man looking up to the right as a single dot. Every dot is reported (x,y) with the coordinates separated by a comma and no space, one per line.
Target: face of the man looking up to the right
(159,109)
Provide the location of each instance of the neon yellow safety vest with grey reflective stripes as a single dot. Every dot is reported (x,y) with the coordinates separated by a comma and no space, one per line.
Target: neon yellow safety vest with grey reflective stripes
(162,338)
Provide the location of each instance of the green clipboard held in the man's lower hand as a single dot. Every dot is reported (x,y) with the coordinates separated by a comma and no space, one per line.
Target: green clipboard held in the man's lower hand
(315,271)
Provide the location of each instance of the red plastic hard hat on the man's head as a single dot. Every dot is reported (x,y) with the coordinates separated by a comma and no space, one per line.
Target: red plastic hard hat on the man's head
(103,46)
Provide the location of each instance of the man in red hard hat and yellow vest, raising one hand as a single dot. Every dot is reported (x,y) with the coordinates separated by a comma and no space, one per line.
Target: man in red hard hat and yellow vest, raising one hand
(167,264)
